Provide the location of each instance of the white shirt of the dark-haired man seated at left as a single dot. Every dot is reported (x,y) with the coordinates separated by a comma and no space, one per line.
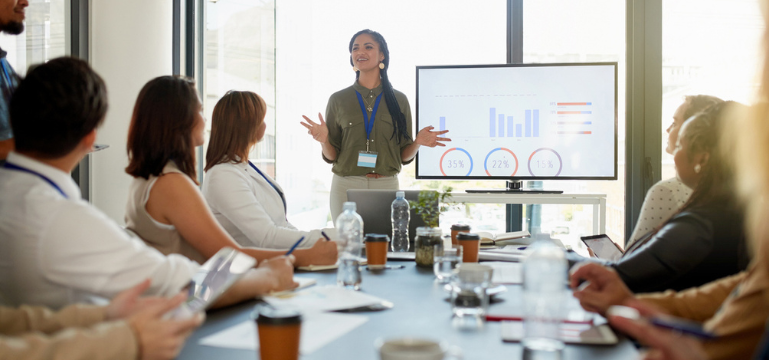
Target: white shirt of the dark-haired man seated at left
(57,250)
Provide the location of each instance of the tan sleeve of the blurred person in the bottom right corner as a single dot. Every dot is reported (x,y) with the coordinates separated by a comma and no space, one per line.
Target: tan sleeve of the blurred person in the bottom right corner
(735,308)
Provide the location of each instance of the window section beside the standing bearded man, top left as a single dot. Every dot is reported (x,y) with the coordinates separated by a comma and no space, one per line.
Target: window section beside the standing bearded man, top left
(45,35)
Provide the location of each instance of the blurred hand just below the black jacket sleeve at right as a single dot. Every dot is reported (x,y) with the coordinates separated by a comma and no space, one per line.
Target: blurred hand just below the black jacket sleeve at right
(602,288)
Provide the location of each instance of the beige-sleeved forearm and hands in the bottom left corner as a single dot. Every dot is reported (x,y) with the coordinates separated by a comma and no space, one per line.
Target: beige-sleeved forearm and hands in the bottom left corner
(134,329)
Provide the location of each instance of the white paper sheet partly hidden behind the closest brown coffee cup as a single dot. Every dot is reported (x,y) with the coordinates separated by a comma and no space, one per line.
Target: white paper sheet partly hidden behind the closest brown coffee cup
(318,329)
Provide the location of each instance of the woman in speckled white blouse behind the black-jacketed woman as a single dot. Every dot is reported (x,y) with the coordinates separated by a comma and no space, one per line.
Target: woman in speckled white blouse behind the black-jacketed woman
(667,196)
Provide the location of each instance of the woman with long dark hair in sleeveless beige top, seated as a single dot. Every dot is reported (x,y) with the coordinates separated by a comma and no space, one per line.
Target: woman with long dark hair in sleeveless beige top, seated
(165,206)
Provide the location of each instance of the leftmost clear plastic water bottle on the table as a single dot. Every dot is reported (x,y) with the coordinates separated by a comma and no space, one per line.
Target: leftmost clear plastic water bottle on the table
(349,226)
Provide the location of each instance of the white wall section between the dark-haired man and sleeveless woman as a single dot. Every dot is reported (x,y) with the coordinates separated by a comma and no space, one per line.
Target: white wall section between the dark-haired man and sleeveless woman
(130,44)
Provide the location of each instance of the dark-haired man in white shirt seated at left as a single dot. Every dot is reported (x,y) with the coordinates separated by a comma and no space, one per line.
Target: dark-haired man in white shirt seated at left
(55,248)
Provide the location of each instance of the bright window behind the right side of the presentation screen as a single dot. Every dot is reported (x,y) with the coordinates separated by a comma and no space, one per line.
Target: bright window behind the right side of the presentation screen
(581,31)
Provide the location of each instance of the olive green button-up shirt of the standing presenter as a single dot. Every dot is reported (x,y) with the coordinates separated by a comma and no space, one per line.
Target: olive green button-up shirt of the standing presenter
(347,132)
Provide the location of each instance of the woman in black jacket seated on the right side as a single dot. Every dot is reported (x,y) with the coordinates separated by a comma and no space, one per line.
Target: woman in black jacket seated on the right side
(705,240)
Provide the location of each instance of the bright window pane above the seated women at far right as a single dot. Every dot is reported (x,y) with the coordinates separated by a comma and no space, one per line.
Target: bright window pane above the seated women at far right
(708,47)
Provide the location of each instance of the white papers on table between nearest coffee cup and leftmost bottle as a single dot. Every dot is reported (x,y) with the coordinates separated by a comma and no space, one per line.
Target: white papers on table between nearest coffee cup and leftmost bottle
(324,298)
